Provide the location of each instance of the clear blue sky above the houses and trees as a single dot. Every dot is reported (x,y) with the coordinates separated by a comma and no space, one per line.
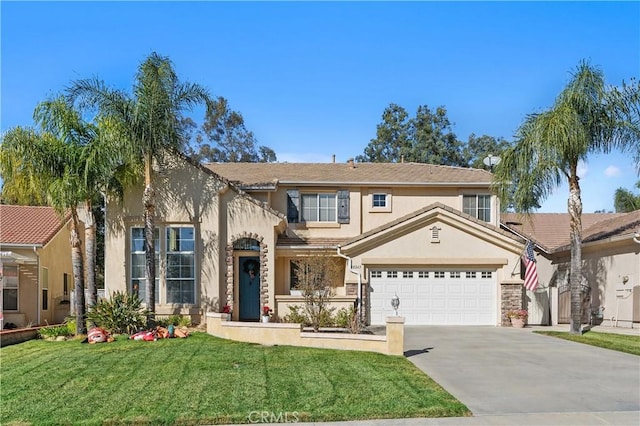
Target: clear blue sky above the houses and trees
(313,78)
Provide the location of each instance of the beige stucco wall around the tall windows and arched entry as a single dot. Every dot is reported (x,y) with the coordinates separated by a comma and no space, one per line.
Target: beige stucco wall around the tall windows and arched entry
(188,195)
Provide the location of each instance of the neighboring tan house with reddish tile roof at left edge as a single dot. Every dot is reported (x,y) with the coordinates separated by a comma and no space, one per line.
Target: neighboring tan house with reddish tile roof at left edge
(35,265)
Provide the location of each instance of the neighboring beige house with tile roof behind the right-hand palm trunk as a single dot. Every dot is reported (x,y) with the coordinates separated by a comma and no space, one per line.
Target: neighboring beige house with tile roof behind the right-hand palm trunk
(611,266)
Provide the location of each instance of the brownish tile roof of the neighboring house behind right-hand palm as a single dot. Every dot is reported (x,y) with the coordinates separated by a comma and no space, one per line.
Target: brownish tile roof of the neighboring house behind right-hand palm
(551,230)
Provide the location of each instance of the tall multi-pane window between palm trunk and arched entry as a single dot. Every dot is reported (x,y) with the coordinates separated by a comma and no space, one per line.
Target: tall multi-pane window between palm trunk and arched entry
(181,271)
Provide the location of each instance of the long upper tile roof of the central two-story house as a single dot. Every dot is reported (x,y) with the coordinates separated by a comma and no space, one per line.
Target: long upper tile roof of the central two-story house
(248,174)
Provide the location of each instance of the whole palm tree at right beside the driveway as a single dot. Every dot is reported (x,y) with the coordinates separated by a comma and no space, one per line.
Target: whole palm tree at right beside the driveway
(586,117)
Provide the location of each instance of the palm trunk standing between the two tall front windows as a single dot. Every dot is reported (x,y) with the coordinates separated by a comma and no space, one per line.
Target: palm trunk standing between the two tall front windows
(148,201)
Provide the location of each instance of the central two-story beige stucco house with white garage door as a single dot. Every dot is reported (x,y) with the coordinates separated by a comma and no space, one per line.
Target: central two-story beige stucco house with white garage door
(227,234)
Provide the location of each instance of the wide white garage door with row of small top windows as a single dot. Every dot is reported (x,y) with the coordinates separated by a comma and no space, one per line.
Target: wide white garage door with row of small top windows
(434,297)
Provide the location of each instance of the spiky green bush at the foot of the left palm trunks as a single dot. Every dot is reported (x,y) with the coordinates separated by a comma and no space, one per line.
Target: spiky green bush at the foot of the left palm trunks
(121,313)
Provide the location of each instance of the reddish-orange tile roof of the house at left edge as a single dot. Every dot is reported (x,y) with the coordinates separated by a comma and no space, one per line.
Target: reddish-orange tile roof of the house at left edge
(28,224)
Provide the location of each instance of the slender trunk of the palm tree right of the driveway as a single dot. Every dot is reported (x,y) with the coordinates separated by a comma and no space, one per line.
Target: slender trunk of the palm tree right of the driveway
(575,279)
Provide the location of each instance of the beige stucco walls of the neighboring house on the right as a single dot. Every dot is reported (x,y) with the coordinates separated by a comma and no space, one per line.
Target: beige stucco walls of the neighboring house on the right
(605,264)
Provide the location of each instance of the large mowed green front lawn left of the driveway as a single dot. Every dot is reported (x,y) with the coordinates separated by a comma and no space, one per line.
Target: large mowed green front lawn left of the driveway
(206,380)
